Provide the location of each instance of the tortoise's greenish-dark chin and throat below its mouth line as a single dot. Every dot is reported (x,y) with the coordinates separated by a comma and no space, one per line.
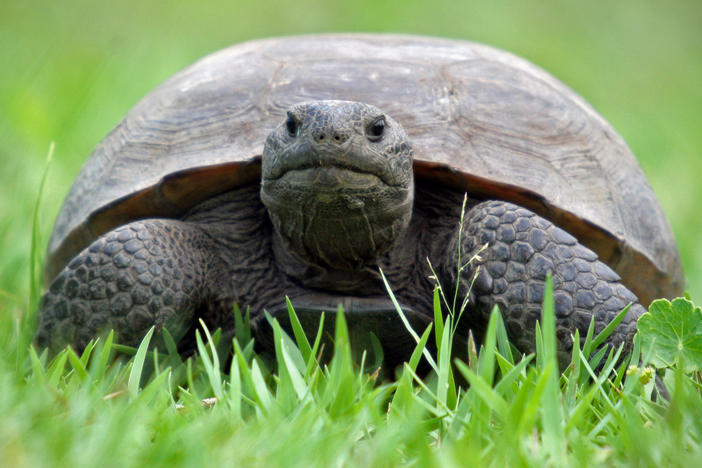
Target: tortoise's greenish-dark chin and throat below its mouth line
(317,231)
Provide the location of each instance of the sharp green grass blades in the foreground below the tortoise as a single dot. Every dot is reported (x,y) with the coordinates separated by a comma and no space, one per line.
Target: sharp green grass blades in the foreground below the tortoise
(154,409)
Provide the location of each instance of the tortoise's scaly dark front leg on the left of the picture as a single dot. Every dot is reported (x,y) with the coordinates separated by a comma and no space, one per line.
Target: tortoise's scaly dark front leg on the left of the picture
(146,273)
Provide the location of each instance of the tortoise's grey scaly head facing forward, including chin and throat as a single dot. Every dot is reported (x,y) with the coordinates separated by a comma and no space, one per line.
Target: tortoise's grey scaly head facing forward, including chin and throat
(338,183)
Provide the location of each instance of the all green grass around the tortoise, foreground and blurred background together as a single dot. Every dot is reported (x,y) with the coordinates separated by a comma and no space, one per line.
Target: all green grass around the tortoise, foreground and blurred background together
(73,70)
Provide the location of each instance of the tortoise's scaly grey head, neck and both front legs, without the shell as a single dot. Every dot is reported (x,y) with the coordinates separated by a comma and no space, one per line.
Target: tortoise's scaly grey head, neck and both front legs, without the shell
(337,201)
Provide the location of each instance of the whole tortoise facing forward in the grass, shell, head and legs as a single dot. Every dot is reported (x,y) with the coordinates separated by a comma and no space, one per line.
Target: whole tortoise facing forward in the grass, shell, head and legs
(371,142)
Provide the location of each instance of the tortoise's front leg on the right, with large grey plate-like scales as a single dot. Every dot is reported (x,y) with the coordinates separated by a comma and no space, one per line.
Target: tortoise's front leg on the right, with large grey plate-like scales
(522,248)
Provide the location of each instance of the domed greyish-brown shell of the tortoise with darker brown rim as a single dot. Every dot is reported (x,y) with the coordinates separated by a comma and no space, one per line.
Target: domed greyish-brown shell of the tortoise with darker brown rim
(480,119)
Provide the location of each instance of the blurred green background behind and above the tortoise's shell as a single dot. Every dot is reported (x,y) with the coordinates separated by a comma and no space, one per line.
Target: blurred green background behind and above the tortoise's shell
(70,70)
